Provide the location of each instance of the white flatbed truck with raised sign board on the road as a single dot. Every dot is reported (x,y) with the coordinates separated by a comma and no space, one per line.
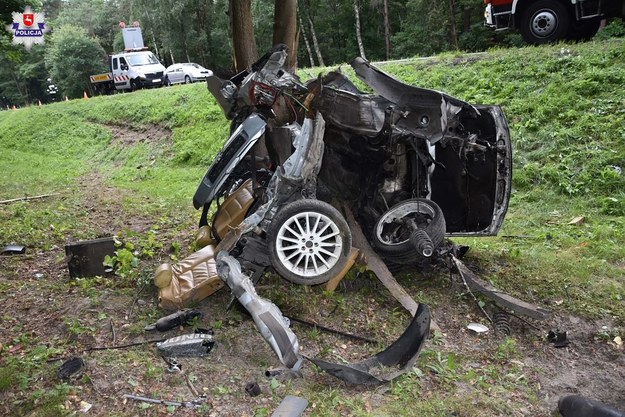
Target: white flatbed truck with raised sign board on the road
(132,69)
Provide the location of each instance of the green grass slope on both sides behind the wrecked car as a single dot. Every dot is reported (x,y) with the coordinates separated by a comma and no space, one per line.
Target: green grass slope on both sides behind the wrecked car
(566,109)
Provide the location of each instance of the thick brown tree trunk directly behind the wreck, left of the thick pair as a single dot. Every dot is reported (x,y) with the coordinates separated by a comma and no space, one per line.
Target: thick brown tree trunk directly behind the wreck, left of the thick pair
(243,42)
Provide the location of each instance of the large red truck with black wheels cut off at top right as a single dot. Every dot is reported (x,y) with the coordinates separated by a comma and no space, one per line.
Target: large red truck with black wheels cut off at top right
(543,21)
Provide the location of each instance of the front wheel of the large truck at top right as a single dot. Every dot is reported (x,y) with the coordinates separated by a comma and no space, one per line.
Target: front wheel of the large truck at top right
(545,21)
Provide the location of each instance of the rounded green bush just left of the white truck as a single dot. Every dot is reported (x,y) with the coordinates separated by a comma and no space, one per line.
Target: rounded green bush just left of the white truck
(72,57)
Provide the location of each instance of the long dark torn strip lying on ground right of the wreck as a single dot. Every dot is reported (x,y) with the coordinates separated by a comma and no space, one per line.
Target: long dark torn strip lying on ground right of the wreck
(504,300)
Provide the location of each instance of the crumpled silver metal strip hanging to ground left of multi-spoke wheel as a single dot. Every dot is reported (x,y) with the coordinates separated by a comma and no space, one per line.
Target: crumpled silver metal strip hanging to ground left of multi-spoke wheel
(273,326)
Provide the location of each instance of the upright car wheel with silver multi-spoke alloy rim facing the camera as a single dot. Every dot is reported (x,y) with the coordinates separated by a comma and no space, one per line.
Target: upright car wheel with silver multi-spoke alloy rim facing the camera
(309,242)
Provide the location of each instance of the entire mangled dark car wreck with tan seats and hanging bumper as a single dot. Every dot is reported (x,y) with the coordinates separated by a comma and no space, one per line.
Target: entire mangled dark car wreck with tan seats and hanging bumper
(413,165)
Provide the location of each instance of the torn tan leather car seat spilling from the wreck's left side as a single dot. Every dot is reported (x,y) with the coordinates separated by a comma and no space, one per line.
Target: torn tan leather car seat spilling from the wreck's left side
(195,277)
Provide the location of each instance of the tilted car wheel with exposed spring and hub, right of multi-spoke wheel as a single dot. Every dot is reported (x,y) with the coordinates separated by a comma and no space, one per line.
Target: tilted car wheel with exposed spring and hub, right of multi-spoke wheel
(409,231)
